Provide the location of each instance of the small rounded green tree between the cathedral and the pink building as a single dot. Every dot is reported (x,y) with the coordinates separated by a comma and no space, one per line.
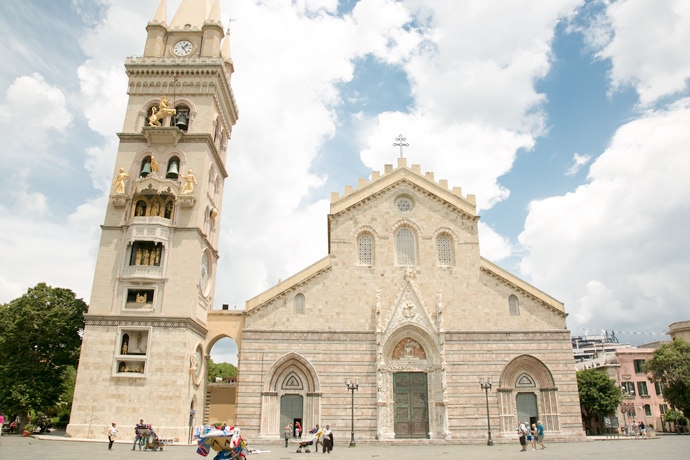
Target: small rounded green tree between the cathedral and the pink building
(599,394)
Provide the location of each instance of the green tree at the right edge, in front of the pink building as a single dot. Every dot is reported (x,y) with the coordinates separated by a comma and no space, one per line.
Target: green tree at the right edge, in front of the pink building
(670,367)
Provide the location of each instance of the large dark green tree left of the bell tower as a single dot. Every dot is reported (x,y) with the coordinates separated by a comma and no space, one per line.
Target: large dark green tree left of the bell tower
(39,338)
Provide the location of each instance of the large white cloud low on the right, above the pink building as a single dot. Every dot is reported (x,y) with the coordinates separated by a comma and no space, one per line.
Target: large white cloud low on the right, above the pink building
(616,248)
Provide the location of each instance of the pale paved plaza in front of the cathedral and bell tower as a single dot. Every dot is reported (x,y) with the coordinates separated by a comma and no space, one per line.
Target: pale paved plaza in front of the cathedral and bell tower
(59,448)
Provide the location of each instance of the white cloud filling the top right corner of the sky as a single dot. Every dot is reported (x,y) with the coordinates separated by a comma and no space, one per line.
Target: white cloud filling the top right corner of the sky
(647,44)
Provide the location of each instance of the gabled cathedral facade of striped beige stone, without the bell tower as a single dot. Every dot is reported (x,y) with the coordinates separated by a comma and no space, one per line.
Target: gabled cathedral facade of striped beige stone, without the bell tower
(405,305)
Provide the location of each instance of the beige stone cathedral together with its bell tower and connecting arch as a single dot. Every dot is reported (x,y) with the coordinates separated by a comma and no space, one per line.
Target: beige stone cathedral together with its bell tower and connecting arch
(403,304)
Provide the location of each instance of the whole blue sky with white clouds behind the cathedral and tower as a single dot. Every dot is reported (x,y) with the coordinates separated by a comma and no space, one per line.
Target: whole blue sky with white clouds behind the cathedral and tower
(567,119)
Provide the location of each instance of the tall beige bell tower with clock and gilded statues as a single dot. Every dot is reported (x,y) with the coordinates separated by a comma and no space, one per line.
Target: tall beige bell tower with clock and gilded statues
(143,350)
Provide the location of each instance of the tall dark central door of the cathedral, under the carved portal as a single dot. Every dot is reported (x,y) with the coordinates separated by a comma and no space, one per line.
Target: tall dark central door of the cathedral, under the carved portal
(411,405)
